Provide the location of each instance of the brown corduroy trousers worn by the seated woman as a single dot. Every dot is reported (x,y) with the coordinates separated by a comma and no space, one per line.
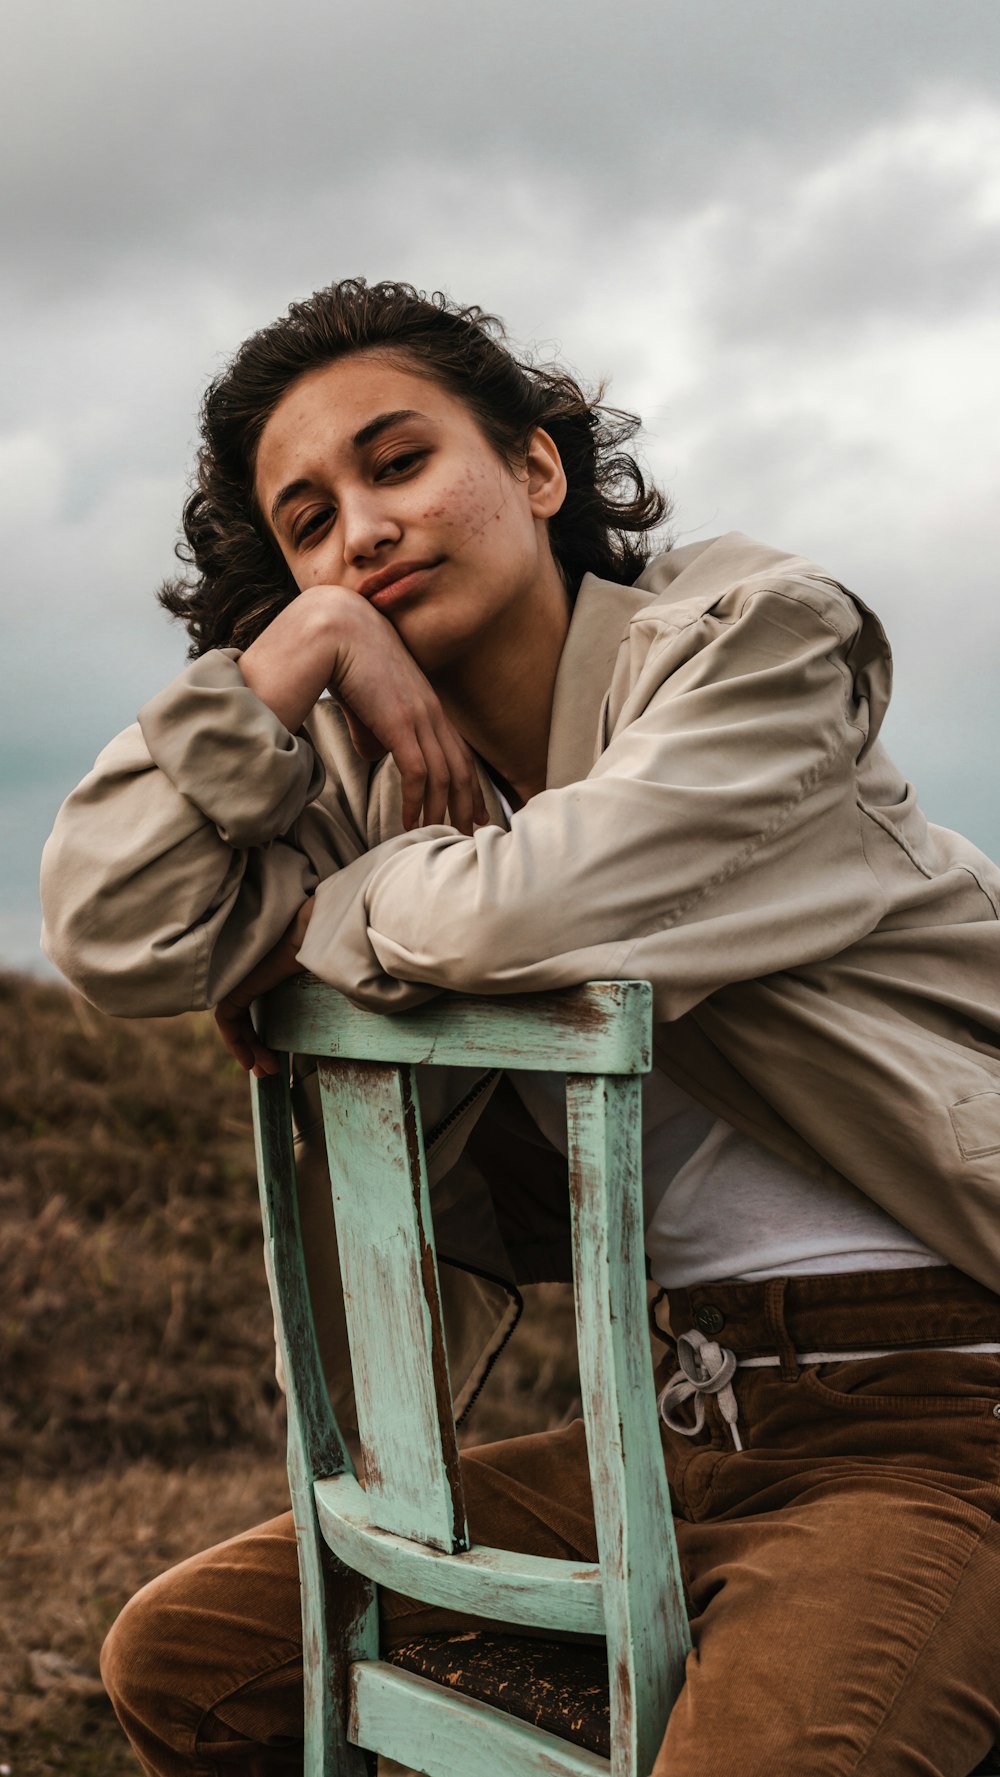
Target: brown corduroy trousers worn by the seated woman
(843,1570)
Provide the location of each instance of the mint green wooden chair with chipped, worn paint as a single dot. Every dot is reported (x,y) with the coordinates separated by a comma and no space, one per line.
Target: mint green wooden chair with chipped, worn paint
(406,1529)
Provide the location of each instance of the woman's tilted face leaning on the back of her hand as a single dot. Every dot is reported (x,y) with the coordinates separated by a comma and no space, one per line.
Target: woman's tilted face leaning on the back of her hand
(376,479)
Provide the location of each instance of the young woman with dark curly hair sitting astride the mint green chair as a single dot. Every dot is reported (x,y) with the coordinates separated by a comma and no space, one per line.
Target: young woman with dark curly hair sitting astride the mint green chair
(548,760)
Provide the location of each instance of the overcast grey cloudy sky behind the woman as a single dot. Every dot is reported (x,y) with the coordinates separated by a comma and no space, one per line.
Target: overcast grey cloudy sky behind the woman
(775,225)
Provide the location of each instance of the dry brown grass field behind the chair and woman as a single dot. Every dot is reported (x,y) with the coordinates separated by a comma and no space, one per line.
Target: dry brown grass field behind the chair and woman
(139,1417)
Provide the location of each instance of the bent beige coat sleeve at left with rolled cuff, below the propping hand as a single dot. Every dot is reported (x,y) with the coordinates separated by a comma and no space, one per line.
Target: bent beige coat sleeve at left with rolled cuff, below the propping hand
(182,857)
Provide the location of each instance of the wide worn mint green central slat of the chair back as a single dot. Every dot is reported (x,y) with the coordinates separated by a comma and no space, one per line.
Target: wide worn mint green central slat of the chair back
(390,1271)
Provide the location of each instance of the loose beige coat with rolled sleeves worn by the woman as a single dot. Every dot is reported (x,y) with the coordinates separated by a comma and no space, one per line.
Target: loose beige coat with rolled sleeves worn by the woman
(720,820)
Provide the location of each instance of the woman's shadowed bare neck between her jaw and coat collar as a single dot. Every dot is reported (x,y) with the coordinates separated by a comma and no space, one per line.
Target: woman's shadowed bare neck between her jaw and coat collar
(502,694)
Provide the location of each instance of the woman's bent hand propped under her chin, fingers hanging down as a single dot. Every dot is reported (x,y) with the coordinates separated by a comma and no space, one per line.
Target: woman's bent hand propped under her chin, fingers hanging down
(331,637)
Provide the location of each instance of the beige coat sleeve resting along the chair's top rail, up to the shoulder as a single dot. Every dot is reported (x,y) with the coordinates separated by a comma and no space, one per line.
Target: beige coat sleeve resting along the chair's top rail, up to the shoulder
(717,840)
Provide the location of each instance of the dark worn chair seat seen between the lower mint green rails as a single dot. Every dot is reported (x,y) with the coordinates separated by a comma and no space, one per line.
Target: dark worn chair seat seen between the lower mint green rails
(555,1685)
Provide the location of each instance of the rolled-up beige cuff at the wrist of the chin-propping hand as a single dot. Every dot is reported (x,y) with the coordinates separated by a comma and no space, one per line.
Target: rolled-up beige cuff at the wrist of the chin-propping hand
(228,753)
